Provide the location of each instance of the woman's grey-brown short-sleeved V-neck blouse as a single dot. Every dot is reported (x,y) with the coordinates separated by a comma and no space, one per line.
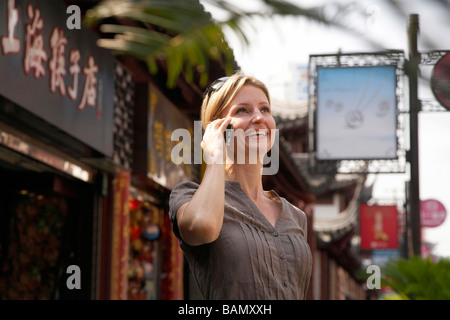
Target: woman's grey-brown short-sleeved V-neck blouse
(250,259)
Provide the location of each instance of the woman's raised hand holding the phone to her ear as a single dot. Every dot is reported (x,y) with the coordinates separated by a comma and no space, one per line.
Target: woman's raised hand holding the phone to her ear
(213,144)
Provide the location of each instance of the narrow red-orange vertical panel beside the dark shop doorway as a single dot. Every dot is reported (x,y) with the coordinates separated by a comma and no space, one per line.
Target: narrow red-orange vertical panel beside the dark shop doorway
(120,236)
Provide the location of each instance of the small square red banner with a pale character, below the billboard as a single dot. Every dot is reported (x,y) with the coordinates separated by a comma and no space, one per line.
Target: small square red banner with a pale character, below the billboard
(378,227)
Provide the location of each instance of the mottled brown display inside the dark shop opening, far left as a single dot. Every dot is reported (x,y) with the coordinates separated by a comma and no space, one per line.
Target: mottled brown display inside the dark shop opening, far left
(30,267)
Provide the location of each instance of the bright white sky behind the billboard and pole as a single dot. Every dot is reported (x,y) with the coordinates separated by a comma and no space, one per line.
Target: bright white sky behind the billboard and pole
(277,45)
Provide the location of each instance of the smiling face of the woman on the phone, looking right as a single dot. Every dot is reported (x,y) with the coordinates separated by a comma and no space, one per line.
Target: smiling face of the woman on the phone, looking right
(252,119)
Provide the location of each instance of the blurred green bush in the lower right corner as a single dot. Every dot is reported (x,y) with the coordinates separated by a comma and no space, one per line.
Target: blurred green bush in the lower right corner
(418,279)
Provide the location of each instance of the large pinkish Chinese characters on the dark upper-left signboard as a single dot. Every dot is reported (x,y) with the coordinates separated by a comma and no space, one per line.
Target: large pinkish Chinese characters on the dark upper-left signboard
(40,63)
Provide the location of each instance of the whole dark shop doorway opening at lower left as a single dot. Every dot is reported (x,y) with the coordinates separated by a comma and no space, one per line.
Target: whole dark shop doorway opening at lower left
(45,226)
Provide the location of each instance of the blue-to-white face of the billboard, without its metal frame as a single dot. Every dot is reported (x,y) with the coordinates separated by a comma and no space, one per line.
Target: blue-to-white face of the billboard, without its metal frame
(356,116)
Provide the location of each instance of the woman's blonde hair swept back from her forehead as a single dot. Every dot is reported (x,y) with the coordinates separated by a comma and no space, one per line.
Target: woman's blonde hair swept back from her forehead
(215,102)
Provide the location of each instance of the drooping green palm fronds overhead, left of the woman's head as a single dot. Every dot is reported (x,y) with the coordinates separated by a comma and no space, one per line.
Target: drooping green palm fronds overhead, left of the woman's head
(178,32)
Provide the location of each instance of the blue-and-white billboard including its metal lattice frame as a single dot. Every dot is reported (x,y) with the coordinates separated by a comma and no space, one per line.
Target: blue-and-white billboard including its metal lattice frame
(356,112)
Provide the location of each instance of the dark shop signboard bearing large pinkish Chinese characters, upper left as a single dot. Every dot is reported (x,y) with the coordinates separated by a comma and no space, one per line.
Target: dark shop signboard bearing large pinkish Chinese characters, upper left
(54,69)
